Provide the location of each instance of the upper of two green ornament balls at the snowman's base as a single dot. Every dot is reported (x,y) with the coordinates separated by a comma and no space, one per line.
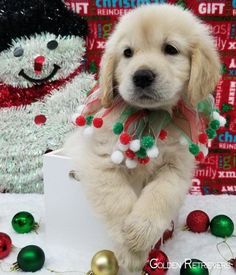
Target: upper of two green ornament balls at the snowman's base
(23,222)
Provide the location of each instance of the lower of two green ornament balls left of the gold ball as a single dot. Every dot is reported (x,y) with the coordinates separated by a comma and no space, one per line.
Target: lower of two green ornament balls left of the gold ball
(31,258)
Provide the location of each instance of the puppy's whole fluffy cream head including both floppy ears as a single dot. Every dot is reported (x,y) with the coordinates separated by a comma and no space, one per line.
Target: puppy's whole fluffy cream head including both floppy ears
(155,54)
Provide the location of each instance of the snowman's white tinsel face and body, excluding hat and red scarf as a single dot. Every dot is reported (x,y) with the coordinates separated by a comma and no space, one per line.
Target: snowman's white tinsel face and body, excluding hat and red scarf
(22,141)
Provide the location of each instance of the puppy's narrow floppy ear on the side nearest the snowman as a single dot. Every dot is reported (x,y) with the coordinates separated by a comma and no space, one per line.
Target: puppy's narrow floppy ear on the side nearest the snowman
(106,77)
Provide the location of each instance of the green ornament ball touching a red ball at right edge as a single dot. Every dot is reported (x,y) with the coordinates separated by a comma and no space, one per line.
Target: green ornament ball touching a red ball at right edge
(222,226)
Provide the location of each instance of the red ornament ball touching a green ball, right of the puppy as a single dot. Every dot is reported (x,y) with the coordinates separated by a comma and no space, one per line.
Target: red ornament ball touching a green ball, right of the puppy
(197,221)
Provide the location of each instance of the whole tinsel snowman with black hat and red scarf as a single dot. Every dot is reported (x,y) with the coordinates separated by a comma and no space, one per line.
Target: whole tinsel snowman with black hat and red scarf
(41,83)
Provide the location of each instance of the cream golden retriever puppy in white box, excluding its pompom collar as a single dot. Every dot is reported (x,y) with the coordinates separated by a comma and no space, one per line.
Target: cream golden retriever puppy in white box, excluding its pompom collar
(156,55)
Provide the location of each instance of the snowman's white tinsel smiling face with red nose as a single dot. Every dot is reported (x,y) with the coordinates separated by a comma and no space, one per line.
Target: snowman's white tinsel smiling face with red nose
(40,59)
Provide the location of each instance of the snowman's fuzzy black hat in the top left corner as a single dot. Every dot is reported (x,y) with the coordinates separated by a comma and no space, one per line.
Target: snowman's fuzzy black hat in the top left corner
(28,17)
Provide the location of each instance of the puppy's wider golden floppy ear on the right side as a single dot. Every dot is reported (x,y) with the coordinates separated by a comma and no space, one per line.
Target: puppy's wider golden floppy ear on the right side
(205,69)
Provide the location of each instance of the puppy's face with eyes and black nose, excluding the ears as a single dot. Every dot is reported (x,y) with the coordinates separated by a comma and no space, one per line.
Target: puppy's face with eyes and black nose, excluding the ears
(153,65)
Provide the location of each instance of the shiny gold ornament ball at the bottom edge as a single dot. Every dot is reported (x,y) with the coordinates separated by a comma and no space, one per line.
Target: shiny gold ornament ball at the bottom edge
(104,262)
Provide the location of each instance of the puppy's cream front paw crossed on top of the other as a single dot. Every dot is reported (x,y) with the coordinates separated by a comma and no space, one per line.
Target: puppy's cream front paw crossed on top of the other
(141,233)
